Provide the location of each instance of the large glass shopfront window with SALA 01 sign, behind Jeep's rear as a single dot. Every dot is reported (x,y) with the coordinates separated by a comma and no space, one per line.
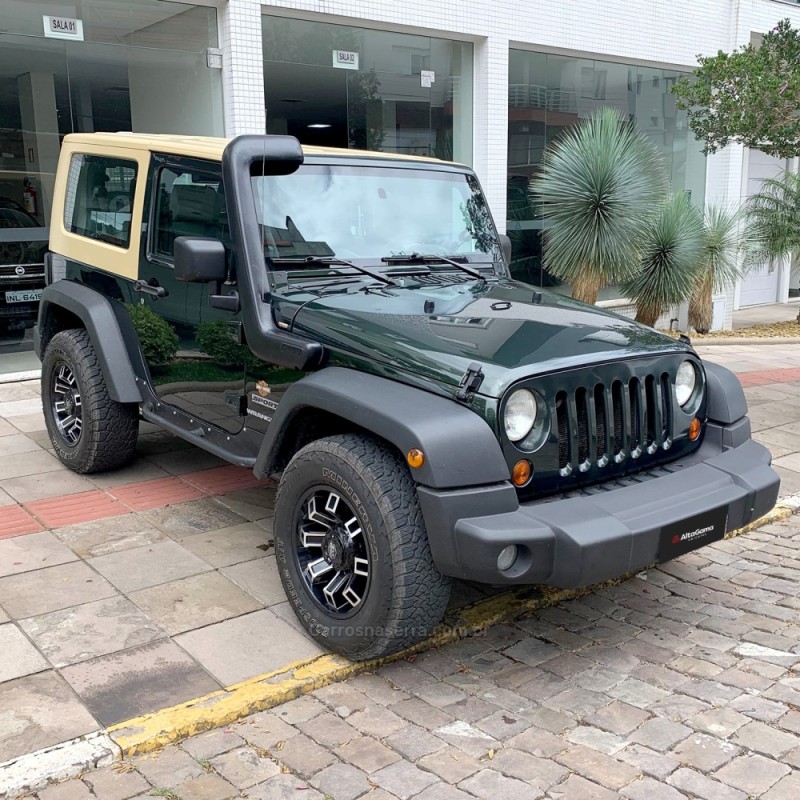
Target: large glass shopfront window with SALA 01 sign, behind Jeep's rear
(140,65)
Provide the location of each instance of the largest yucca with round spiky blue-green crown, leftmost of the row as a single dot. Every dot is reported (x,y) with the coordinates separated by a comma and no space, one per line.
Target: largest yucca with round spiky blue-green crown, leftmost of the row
(599,183)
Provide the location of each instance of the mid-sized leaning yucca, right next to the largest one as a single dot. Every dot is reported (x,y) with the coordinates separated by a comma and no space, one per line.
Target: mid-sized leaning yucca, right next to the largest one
(671,257)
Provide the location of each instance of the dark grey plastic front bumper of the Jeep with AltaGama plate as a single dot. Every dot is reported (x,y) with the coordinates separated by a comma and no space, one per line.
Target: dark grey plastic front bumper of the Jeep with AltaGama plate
(603,531)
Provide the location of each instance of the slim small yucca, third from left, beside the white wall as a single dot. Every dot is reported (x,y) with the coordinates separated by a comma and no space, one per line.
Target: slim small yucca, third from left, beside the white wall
(721,265)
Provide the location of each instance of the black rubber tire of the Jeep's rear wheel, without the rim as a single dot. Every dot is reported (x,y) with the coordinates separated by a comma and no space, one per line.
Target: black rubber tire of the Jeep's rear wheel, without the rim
(107,438)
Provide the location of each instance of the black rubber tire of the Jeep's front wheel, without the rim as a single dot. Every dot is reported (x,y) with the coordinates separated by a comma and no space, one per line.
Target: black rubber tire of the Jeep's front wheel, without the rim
(406,596)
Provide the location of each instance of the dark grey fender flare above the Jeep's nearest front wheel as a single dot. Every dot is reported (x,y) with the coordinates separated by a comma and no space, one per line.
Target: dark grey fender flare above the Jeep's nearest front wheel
(459,446)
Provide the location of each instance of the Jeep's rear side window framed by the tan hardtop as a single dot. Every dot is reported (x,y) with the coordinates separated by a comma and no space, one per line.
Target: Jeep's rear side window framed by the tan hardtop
(99,198)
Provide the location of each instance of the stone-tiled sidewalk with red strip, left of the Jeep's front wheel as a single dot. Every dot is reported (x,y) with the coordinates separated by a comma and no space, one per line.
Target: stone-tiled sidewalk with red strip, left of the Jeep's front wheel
(140,588)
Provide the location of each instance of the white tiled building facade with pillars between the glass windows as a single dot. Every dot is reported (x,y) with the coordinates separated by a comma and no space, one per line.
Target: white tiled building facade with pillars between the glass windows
(667,34)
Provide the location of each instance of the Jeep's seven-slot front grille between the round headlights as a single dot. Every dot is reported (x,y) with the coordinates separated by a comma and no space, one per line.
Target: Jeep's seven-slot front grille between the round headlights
(640,422)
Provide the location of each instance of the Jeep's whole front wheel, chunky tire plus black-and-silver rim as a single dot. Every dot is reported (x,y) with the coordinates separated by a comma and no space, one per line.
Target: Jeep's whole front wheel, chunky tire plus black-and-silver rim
(352,550)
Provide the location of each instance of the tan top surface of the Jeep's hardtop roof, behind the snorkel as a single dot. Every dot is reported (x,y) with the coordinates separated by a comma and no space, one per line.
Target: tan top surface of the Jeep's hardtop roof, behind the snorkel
(211,146)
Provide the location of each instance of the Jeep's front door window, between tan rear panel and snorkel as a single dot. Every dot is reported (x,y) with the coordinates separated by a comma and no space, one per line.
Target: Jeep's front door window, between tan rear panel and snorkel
(187,203)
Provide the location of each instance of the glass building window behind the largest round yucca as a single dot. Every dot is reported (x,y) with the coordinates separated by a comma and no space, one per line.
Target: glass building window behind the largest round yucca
(548,93)
